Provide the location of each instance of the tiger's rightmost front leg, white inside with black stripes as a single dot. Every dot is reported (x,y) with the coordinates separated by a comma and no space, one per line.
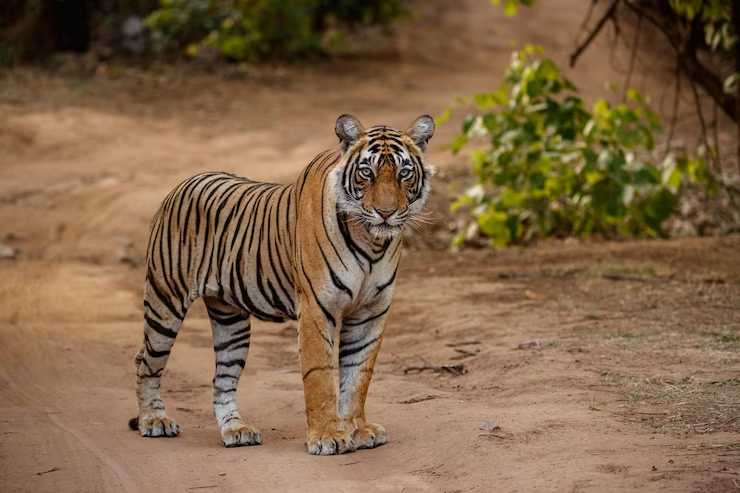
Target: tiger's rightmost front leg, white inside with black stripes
(360,344)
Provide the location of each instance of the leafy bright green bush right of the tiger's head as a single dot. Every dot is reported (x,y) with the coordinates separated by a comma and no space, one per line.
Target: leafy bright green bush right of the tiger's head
(555,168)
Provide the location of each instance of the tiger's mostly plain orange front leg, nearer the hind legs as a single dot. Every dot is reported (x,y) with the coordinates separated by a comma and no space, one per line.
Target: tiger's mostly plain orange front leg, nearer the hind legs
(326,433)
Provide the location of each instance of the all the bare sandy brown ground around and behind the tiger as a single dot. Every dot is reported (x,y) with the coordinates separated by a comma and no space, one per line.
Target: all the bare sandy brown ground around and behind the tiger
(584,367)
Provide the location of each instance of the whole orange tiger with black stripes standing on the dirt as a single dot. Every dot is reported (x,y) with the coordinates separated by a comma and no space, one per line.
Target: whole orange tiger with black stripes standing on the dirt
(323,250)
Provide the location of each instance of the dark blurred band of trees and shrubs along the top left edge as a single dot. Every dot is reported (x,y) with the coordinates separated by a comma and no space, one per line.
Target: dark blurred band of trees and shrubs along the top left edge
(233,30)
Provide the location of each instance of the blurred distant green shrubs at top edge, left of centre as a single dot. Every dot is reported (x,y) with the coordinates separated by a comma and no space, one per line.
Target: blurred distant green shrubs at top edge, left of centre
(254,30)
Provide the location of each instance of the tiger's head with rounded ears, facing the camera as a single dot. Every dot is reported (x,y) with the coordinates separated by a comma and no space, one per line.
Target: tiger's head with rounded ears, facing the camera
(383,181)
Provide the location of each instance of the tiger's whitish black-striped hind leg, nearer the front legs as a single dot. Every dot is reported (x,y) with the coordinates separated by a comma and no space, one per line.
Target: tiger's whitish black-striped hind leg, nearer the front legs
(231,335)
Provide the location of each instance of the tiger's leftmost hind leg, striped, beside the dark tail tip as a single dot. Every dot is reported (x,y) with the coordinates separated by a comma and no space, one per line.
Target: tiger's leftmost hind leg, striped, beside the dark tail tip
(160,329)
